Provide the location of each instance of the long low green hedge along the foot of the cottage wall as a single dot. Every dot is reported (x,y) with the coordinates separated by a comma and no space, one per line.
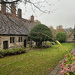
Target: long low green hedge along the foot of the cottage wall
(13,51)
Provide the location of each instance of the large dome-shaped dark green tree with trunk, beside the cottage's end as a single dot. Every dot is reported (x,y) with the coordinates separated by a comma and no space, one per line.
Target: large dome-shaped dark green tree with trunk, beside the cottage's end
(40,33)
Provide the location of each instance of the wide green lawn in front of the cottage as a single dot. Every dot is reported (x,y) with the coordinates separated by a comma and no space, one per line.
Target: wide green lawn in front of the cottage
(35,62)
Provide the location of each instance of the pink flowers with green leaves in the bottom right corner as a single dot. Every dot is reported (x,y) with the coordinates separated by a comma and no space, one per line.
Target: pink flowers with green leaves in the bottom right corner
(68,65)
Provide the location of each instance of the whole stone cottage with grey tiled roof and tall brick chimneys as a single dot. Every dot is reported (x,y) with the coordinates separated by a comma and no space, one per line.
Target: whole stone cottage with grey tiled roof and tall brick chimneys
(14,29)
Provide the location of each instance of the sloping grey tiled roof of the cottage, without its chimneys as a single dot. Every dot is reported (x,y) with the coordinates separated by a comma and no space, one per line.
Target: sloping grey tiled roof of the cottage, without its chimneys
(14,26)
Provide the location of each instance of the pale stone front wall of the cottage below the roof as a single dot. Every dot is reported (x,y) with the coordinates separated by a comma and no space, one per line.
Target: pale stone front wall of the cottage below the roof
(12,45)
